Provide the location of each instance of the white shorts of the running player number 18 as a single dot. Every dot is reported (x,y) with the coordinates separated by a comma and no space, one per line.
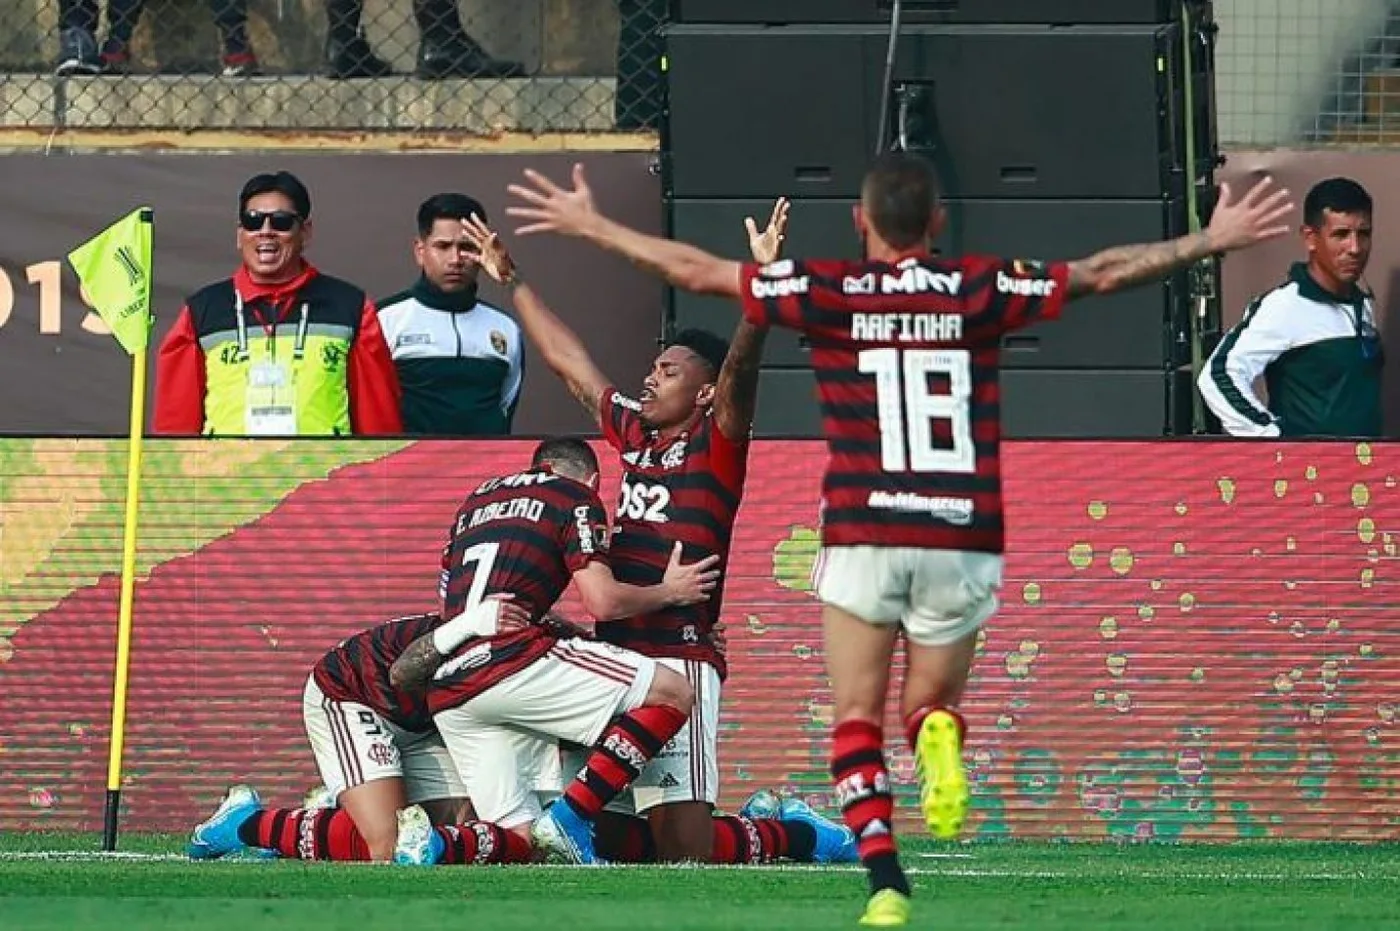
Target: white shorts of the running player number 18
(939,597)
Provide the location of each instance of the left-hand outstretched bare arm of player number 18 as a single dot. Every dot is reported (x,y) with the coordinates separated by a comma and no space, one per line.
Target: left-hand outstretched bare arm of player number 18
(554,209)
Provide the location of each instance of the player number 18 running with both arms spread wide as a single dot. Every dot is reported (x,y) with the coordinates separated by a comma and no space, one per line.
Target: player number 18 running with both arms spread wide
(906,353)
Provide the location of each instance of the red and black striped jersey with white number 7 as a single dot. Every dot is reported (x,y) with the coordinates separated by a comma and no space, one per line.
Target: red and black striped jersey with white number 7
(526,535)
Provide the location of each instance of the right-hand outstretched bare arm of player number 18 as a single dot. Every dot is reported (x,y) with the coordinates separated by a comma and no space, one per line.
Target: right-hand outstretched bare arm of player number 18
(1259,216)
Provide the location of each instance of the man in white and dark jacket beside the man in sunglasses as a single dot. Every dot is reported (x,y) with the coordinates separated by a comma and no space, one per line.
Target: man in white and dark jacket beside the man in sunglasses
(461,362)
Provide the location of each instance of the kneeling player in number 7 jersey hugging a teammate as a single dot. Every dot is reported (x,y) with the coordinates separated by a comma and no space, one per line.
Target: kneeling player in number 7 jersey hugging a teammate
(503,699)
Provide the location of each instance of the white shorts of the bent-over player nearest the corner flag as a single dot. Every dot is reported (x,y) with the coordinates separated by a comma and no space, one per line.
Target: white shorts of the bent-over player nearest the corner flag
(355,745)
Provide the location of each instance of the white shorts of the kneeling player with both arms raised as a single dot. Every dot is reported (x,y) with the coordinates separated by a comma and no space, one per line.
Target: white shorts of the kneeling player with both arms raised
(688,768)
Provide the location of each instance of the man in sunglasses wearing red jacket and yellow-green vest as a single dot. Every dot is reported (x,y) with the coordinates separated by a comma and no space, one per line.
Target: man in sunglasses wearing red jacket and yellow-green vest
(278,349)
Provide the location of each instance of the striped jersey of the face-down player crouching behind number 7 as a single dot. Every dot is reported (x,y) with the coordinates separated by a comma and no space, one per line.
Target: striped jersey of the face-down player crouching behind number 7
(358,671)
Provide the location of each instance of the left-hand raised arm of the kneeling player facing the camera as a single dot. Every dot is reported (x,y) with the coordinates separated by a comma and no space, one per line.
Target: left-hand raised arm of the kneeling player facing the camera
(558,345)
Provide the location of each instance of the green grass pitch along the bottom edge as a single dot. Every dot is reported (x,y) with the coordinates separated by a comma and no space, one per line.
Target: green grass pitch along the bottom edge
(55,883)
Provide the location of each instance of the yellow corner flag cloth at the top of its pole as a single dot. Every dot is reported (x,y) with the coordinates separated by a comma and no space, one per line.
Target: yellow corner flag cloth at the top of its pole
(115,272)
